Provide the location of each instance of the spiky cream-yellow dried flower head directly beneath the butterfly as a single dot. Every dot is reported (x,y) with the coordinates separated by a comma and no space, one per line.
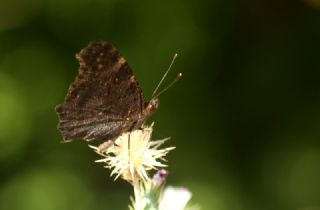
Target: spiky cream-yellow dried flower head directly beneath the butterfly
(133,154)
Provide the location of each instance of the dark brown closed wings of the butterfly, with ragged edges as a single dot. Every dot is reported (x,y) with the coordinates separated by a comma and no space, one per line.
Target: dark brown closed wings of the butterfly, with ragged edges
(103,98)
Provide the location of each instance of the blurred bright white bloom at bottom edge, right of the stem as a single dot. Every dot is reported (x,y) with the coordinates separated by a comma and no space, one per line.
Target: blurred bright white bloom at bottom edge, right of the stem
(174,198)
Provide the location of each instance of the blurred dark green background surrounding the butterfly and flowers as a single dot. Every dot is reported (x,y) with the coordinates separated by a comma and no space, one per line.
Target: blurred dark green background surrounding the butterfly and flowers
(245,117)
